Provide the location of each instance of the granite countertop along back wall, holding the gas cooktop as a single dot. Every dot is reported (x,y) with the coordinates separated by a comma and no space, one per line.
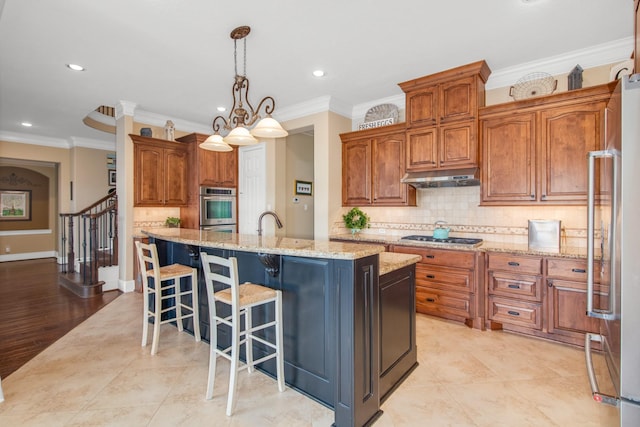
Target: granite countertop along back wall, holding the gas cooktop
(486,246)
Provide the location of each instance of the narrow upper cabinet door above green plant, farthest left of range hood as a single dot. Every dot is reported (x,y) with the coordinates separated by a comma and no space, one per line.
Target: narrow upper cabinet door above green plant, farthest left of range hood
(356,173)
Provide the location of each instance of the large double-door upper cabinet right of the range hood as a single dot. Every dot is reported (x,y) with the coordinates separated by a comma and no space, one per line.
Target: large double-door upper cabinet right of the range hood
(534,151)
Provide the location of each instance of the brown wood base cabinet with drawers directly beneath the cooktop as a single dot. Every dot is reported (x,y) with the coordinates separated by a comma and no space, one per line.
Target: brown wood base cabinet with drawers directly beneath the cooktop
(447,284)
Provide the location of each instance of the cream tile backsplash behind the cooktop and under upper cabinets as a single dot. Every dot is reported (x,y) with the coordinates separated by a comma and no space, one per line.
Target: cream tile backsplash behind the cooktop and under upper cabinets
(459,207)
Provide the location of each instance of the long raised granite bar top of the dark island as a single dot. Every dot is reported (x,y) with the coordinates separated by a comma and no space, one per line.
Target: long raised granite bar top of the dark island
(265,244)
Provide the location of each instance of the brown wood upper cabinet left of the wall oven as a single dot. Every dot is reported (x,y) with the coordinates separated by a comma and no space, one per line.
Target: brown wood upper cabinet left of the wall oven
(160,172)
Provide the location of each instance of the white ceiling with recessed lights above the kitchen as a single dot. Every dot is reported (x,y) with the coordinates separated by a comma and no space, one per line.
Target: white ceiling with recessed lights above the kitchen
(175,58)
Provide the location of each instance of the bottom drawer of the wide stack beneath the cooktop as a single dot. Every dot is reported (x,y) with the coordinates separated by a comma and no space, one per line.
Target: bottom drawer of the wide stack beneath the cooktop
(441,303)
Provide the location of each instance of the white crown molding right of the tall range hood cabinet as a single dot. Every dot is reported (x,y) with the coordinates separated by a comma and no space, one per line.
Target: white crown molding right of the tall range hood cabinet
(594,56)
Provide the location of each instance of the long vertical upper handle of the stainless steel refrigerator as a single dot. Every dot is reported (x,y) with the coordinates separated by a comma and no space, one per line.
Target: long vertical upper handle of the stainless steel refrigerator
(591,312)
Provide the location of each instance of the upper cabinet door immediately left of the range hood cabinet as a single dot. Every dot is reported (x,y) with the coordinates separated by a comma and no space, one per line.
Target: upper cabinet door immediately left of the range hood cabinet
(388,169)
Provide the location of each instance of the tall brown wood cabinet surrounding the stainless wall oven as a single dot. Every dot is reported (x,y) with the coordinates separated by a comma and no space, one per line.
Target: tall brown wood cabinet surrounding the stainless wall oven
(208,168)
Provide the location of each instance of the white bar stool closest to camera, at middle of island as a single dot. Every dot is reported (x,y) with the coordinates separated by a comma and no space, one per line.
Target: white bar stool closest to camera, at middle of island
(241,299)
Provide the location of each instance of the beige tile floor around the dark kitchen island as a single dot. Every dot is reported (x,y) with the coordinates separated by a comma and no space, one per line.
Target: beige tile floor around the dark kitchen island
(98,375)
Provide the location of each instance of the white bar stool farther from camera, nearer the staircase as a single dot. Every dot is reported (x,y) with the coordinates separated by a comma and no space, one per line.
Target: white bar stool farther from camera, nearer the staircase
(164,284)
